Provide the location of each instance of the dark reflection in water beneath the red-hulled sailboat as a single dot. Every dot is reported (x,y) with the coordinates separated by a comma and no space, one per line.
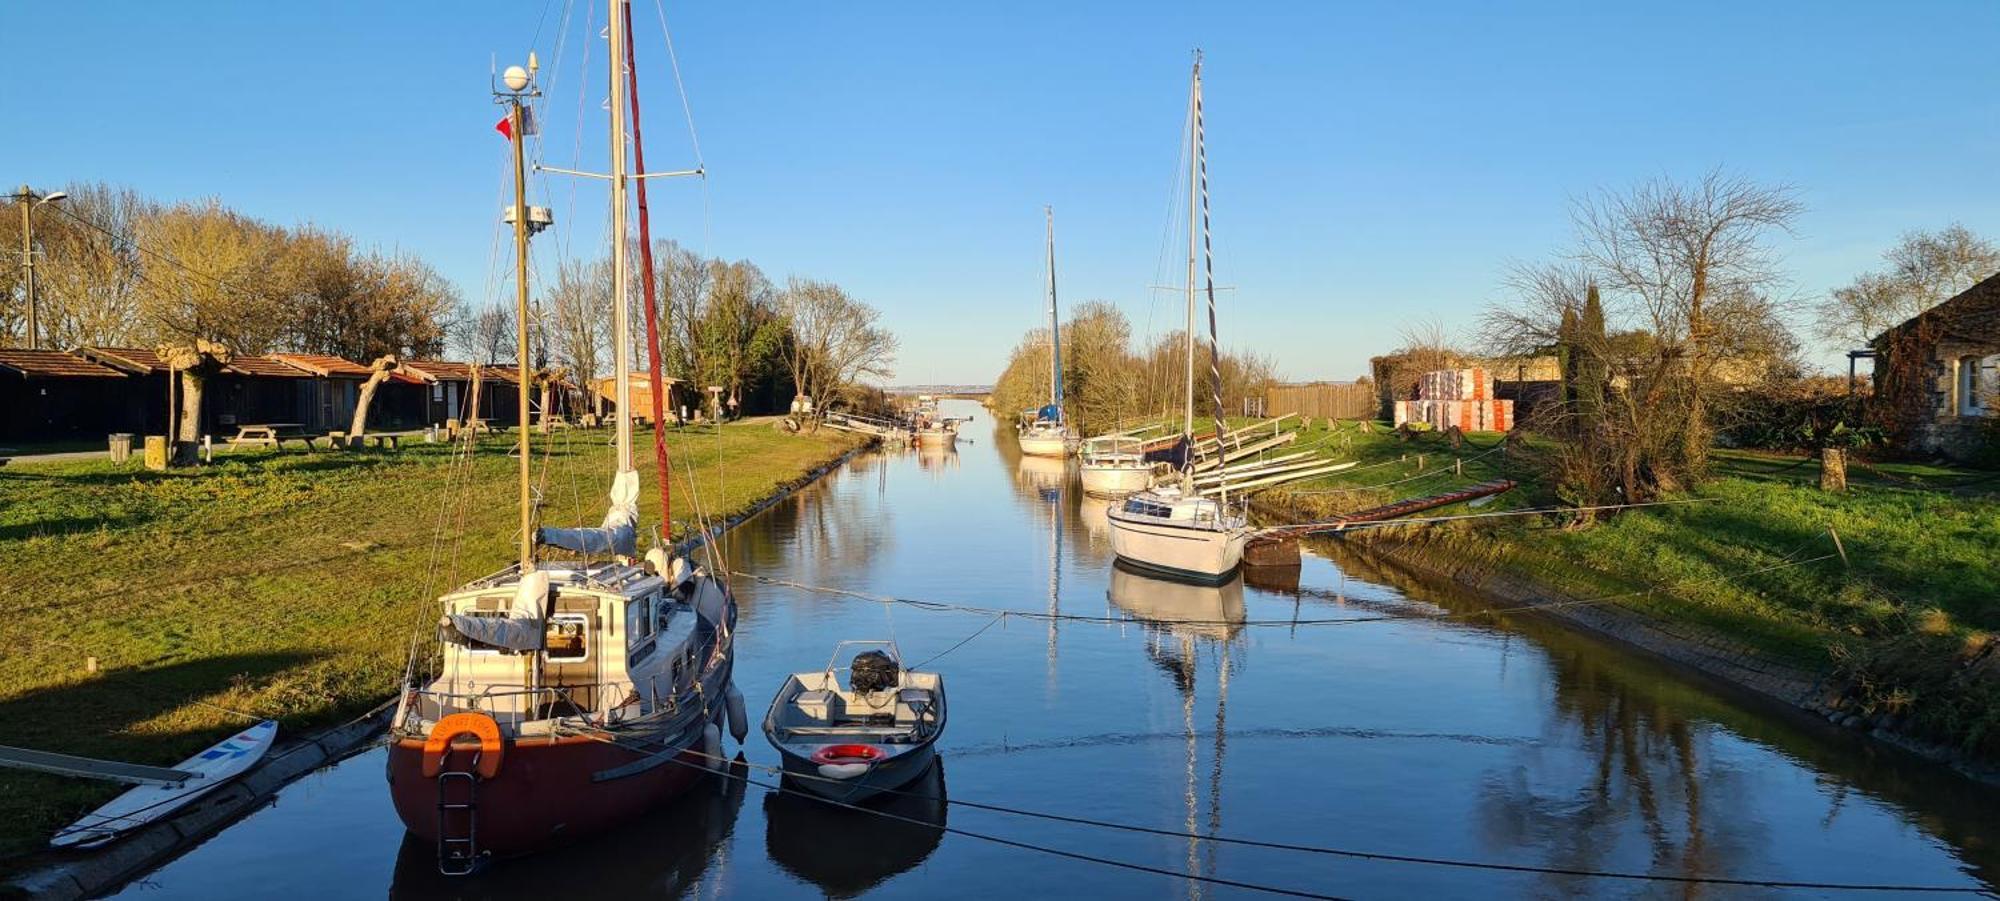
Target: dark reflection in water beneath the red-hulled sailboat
(659,854)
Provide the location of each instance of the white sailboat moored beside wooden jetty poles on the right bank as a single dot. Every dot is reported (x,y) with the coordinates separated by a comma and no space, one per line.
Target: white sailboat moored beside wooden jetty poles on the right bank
(1175,530)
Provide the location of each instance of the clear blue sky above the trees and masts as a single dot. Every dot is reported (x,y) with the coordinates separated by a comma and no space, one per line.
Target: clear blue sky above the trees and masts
(1369,163)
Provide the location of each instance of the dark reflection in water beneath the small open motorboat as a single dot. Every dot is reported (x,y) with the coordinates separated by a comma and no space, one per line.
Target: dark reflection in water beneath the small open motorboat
(847,852)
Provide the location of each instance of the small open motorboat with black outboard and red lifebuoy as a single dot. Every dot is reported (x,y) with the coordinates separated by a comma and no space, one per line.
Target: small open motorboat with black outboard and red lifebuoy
(859,742)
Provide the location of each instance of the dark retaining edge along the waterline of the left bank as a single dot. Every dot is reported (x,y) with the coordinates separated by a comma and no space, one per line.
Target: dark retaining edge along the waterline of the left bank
(133,856)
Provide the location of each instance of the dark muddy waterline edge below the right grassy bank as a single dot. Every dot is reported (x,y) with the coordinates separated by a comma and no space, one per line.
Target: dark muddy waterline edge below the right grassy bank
(1701,654)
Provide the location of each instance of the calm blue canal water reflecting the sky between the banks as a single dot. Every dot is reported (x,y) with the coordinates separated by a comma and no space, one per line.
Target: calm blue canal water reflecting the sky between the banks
(1243,712)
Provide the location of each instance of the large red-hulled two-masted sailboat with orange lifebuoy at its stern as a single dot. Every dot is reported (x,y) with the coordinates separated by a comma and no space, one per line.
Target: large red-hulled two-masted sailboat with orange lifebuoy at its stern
(569,694)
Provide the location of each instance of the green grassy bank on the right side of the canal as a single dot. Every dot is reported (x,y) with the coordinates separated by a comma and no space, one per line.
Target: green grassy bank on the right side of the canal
(1903,608)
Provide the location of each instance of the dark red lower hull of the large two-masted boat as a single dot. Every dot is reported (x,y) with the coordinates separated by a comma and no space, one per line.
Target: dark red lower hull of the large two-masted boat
(543,794)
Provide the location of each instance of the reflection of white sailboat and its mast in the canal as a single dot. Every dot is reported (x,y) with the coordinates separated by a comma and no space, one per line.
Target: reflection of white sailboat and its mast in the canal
(1183,622)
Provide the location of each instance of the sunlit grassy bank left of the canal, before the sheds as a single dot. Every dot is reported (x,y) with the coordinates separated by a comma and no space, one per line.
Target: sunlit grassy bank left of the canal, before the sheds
(281,586)
